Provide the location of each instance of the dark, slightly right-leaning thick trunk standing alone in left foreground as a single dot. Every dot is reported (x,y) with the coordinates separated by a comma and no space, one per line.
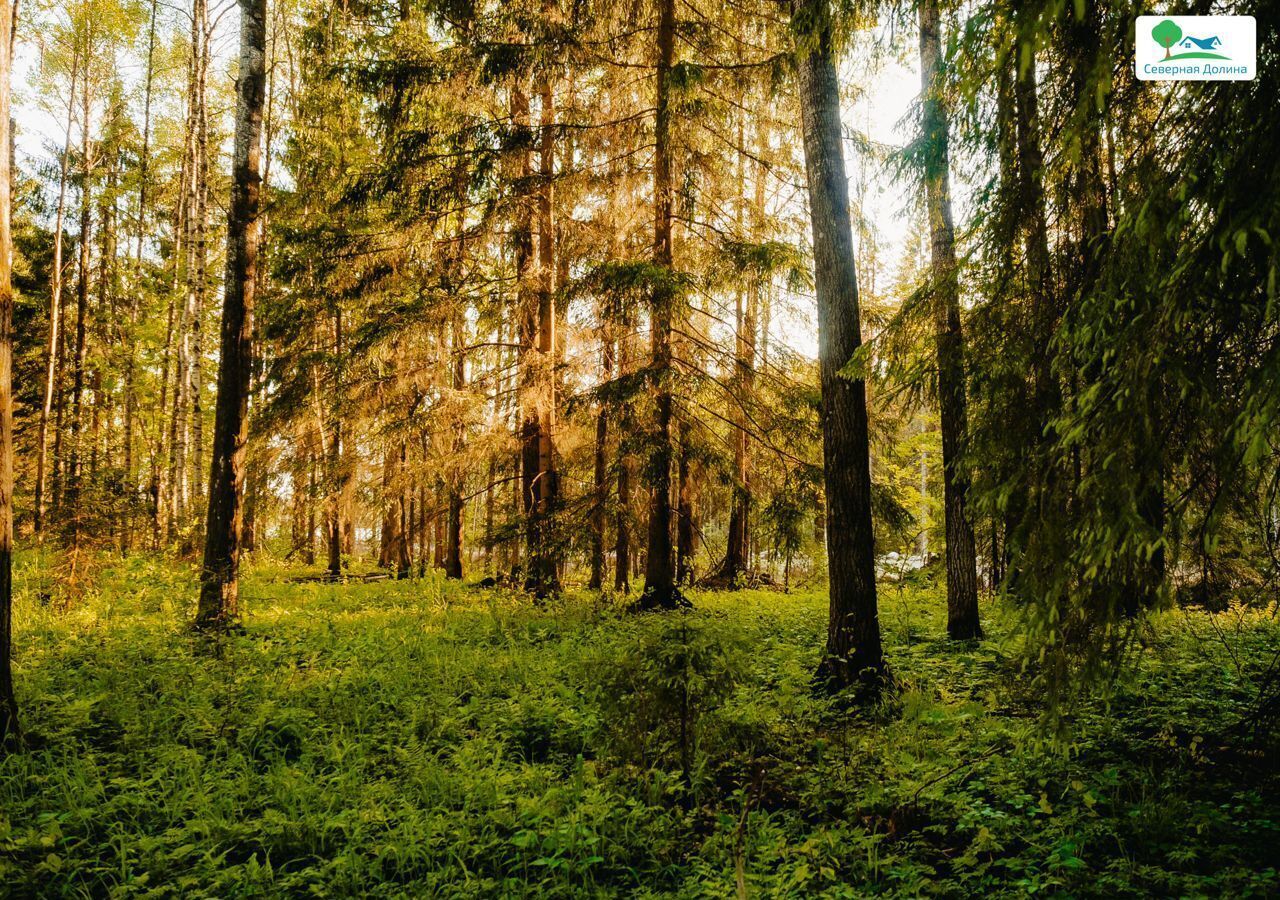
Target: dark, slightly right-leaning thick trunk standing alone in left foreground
(220,593)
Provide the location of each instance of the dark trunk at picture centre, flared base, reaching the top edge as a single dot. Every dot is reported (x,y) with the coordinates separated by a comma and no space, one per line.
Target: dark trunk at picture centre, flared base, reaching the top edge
(660,578)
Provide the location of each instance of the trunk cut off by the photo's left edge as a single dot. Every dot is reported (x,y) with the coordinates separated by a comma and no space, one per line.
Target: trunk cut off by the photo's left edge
(10,730)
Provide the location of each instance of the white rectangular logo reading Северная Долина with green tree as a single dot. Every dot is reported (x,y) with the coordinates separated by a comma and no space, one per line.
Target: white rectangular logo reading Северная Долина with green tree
(1196,48)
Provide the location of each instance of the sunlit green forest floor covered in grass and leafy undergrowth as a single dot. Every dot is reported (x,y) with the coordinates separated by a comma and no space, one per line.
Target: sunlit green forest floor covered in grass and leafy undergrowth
(420,739)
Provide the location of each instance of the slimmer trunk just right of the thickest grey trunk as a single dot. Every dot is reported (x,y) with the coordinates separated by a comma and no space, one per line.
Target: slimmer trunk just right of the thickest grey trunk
(963,622)
